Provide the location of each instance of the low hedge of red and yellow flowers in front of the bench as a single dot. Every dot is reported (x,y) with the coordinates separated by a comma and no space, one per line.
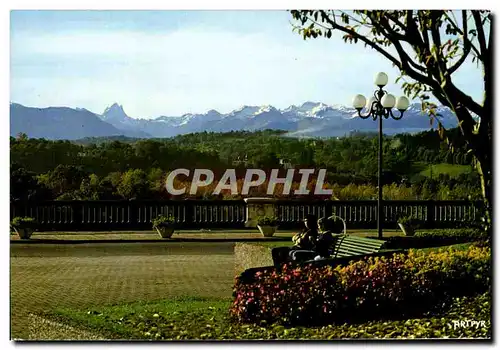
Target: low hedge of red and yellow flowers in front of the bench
(373,288)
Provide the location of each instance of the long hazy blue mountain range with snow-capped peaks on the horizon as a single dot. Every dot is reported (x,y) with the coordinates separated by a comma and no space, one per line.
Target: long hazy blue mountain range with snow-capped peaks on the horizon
(310,119)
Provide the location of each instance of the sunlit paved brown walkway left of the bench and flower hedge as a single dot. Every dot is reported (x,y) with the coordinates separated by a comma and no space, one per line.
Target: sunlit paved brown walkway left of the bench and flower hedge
(47,276)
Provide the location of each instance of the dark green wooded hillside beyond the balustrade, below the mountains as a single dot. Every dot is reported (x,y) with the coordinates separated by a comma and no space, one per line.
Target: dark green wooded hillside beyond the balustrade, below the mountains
(136,169)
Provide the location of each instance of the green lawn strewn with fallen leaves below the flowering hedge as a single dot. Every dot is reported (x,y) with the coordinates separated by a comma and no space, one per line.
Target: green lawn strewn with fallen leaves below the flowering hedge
(198,318)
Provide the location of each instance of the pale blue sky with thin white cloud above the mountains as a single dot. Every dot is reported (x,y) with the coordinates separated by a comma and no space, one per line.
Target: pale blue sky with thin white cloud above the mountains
(174,62)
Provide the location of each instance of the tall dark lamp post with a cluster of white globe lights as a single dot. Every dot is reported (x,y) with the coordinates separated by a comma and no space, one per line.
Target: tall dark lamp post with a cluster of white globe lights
(378,106)
